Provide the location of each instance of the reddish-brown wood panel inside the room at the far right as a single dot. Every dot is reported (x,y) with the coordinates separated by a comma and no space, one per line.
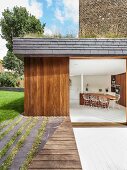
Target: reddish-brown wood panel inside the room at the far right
(121,80)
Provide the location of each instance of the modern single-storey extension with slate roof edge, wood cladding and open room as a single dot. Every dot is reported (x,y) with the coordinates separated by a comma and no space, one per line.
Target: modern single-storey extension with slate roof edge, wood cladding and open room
(50,73)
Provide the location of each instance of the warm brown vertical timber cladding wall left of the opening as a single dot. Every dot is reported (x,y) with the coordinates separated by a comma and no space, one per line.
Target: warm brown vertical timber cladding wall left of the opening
(46,86)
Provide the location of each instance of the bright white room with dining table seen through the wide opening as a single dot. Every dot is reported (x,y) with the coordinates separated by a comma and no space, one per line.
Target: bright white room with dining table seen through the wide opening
(98,90)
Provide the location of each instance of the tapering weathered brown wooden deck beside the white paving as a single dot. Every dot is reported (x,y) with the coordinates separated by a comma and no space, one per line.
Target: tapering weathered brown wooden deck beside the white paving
(60,152)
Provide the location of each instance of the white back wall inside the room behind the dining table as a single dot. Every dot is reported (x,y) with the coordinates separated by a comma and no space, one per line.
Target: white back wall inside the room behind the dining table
(95,83)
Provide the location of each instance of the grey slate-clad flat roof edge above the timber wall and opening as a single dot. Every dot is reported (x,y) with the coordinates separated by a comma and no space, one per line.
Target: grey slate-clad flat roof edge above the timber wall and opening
(66,46)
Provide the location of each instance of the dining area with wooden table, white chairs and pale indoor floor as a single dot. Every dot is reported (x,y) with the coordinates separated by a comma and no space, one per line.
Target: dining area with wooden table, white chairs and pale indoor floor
(97,107)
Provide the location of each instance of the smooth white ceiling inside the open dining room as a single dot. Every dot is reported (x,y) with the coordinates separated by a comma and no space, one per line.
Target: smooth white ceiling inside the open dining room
(97,66)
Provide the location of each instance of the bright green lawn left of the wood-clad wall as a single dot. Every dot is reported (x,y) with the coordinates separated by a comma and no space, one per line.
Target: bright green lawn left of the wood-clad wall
(11,104)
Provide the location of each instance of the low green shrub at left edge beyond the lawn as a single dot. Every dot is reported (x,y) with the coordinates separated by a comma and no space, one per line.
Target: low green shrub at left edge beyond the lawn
(7,79)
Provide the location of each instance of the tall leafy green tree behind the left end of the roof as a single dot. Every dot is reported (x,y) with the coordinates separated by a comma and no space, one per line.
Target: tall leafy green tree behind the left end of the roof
(17,23)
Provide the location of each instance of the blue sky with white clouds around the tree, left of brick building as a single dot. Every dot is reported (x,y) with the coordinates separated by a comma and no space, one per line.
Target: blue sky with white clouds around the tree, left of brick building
(60,16)
